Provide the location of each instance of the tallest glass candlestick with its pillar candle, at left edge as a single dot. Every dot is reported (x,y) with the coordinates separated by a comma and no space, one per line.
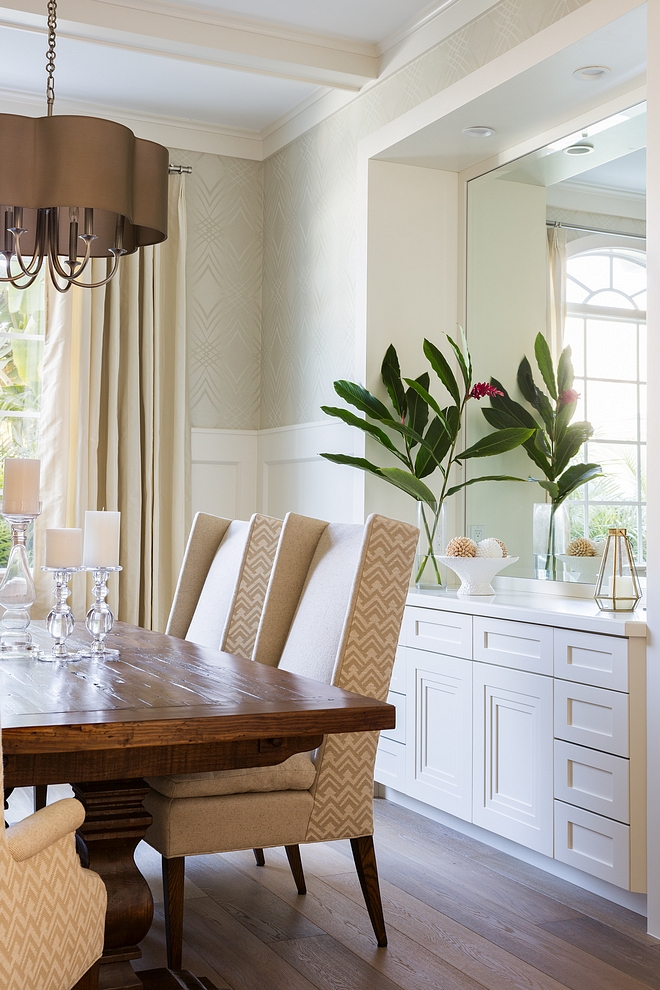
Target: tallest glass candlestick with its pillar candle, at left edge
(20,506)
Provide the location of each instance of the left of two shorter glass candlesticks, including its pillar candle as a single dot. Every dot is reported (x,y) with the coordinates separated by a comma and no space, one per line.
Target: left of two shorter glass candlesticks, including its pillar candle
(63,558)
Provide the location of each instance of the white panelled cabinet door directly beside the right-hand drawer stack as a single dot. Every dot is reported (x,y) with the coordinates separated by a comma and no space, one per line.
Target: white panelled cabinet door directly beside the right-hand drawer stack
(512,727)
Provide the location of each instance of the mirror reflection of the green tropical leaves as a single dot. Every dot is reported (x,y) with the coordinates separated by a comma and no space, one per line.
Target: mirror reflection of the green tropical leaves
(556,440)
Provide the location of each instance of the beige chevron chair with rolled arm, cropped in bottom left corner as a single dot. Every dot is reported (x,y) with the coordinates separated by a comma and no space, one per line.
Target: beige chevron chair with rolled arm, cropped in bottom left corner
(52,911)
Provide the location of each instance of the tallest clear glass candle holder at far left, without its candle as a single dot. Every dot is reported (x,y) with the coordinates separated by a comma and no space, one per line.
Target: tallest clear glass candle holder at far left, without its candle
(17,592)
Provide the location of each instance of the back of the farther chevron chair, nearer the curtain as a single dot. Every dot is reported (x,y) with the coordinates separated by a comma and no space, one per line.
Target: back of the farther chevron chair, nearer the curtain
(223,581)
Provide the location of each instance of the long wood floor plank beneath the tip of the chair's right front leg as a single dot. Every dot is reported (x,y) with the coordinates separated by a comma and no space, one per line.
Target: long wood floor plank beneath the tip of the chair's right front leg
(404,962)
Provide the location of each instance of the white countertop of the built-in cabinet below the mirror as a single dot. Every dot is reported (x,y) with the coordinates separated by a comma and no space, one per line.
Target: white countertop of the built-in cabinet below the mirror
(548,610)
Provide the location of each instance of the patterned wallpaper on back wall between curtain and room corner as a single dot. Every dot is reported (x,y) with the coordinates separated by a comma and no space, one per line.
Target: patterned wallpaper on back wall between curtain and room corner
(225,238)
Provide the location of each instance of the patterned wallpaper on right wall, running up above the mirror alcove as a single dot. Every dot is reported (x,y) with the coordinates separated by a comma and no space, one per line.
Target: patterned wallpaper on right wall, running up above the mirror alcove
(309,221)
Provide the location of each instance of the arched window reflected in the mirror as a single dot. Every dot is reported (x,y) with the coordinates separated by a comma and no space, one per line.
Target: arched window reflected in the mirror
(606,328)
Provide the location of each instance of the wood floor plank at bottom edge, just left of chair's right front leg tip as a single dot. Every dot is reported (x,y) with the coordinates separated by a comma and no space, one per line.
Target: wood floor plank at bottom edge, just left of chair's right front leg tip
(330,966)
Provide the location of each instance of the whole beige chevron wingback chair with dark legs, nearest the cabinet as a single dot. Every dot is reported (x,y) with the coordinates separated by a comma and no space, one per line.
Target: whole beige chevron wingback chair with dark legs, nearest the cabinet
(332,612)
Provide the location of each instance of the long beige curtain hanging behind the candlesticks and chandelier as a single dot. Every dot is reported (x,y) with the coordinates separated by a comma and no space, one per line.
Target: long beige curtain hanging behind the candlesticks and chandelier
(115,431)
